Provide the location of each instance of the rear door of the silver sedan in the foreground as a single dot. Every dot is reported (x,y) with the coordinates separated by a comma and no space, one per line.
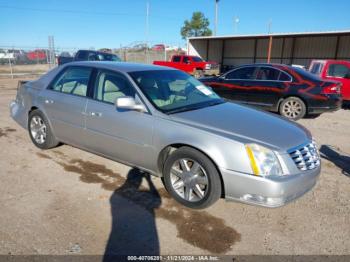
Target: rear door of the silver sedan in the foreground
(64,102)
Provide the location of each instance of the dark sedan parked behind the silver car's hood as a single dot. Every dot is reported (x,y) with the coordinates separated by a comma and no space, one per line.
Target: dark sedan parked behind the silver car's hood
(291,91)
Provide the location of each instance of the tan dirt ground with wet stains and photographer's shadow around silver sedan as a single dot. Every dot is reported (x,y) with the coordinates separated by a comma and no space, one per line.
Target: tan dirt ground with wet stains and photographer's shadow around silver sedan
(67,201)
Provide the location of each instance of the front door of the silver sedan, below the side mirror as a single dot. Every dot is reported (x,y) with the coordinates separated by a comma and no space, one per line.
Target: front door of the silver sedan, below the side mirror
(123,135)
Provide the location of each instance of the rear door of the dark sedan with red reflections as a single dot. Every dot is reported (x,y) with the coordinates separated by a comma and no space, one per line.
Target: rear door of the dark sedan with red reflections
(267,87)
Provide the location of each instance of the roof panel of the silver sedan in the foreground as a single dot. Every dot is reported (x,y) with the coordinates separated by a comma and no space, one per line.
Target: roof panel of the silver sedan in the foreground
(120,66)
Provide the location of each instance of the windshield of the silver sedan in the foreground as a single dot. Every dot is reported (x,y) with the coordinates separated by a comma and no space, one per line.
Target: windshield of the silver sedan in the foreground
(173,91)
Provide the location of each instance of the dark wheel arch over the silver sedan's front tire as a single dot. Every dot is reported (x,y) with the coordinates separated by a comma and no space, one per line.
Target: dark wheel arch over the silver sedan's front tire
(167,150)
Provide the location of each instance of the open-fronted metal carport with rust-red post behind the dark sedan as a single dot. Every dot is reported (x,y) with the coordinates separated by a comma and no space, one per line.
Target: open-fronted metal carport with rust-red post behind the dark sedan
(287,48)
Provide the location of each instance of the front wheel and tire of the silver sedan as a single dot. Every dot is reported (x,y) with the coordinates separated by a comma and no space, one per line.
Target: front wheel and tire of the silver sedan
(191,178)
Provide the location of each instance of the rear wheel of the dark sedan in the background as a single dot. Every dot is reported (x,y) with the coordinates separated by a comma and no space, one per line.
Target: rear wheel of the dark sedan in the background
(292,108)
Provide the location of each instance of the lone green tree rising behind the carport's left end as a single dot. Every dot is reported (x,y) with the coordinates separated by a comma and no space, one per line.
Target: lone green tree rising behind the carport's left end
(198,26)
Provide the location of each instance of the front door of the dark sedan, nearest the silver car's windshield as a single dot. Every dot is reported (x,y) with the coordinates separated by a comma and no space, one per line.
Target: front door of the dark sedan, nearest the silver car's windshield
(233,85)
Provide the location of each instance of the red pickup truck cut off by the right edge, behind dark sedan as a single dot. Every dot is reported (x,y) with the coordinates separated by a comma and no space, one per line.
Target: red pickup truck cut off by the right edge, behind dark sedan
(334,70)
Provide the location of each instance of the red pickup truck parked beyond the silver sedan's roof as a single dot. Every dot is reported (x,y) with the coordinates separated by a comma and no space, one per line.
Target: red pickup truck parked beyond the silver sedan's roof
(193,65)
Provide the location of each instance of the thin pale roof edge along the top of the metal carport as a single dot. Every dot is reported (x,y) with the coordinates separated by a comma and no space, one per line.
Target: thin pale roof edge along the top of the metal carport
(325,33)
